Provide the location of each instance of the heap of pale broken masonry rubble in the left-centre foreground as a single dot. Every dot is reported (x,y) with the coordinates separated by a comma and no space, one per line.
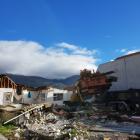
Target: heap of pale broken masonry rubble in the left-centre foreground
(50,126)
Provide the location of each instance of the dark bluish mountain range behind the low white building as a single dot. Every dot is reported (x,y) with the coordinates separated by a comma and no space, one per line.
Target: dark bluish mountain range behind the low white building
(37,81)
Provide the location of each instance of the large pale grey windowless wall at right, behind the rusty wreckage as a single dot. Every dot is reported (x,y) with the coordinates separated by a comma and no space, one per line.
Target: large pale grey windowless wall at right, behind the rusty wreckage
(127,71)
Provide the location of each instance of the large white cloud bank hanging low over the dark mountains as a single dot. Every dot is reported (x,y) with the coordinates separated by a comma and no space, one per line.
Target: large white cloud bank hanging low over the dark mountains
(31,58)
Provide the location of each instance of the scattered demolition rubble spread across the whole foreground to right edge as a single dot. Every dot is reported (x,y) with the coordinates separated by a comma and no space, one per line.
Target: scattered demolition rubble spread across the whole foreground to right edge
(86,123)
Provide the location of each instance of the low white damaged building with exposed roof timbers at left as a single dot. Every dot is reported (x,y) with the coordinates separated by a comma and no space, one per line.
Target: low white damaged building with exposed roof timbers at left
(11,92)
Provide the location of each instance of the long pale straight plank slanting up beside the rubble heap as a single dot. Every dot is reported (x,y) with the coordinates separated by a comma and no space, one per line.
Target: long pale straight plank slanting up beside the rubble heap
(36,107)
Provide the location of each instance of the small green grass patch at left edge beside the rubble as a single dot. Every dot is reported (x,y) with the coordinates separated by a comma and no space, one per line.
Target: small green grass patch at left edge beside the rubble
(7,129)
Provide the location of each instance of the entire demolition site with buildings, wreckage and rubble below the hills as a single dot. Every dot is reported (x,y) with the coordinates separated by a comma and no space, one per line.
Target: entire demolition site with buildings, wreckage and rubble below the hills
(100,105)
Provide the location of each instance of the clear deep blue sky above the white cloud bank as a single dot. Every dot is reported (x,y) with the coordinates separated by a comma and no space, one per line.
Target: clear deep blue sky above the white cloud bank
(112,27)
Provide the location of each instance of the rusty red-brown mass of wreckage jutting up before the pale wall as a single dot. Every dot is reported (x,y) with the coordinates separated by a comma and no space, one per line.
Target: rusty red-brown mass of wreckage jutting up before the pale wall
(93,84)
